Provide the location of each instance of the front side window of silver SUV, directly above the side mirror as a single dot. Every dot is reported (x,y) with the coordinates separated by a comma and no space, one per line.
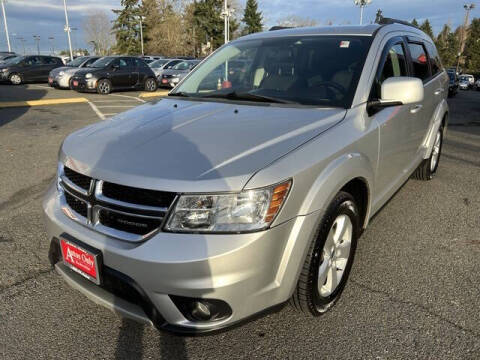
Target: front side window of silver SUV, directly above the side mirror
(395,65)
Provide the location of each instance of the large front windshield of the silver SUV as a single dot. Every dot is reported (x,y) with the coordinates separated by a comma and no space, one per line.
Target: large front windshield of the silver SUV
(307,70)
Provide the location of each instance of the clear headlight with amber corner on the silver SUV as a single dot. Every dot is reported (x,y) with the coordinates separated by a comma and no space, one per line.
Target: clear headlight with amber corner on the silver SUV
(248,210)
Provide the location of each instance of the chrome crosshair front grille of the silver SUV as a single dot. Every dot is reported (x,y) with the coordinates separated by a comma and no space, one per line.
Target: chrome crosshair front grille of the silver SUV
(116,218)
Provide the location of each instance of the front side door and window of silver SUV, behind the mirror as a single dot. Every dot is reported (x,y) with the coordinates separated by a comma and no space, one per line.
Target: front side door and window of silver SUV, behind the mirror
(395,123)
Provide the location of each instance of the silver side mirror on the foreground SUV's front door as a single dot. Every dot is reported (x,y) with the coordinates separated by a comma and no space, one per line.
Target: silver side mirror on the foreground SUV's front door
(399,91)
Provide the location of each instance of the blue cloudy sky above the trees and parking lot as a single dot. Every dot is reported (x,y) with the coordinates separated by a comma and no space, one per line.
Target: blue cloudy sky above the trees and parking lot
(46,18)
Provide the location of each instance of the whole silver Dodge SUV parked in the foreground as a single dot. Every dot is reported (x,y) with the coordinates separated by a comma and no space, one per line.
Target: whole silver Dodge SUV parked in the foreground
(249,185)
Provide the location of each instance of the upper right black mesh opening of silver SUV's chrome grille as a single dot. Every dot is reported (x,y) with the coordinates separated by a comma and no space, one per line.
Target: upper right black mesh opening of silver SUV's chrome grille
(137,196)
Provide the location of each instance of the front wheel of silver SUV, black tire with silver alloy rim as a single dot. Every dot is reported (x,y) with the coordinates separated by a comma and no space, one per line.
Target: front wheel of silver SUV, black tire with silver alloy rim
(311,296)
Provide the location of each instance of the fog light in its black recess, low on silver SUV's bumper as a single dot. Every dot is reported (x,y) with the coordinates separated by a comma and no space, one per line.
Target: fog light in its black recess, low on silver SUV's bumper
(204,310)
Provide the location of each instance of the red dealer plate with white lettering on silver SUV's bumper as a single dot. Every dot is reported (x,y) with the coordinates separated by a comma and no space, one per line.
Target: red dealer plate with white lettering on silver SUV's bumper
(81,258)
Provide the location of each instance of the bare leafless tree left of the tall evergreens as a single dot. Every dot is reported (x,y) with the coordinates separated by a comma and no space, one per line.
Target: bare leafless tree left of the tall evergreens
(98,32)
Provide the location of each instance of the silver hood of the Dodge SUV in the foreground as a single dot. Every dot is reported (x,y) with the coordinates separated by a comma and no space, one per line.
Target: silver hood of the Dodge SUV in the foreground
(187,146)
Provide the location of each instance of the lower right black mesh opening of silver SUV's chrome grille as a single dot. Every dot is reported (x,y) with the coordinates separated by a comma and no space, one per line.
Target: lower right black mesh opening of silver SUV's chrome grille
(128,223)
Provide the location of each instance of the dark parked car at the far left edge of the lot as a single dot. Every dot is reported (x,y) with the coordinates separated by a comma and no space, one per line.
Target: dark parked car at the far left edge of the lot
(22,69)
